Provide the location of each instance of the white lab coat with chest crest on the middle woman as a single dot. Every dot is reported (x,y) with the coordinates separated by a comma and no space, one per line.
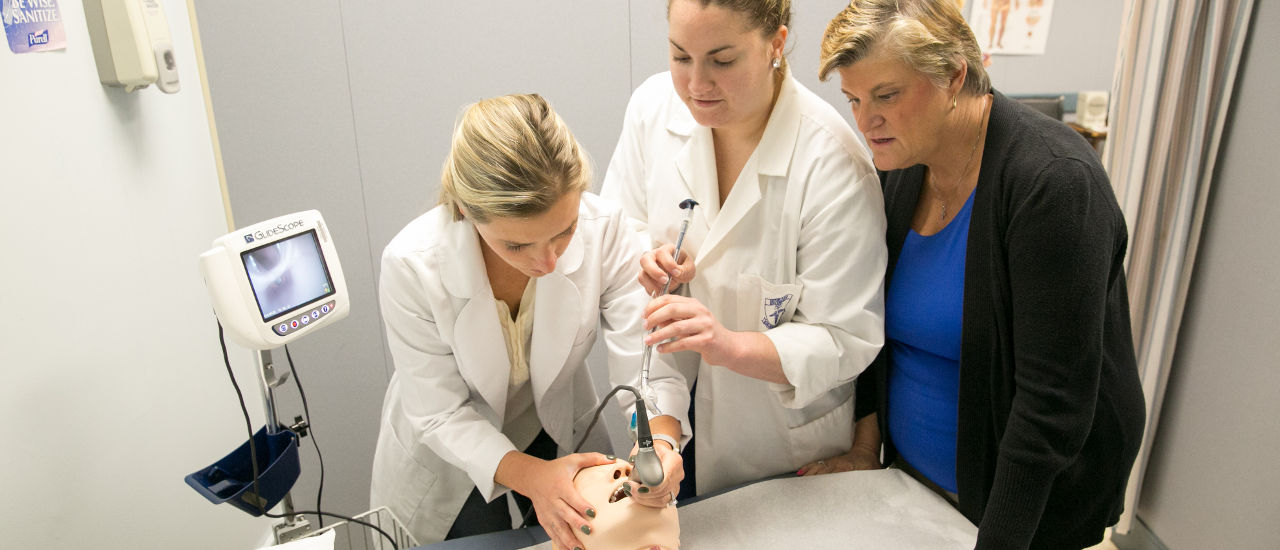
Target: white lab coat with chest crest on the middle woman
(797,253)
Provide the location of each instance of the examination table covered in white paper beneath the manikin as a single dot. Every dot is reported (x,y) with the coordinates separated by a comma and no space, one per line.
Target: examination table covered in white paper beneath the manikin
(877,510)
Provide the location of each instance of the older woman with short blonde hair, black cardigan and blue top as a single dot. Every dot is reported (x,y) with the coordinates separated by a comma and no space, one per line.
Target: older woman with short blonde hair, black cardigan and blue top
(1008,382)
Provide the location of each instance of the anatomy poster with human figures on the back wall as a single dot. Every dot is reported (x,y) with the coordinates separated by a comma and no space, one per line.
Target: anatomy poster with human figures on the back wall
(1012,27)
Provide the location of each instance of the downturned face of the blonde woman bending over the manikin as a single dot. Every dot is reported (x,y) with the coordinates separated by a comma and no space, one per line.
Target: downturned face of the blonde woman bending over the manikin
(533,245)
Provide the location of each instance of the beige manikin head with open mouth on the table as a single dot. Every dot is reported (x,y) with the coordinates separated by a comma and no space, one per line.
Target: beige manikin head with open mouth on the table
(621,524)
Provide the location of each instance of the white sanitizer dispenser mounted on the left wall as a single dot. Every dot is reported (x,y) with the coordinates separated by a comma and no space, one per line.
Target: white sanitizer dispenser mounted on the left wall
(131,44)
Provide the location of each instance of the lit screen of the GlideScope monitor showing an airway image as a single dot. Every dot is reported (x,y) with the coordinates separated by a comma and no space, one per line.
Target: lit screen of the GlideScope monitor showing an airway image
(287,274)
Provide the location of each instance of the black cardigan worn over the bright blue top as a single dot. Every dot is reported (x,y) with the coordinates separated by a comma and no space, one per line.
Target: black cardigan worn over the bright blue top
(1052,409)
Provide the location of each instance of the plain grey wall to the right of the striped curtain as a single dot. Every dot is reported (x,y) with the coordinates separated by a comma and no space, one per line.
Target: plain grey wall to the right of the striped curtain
(1213,480)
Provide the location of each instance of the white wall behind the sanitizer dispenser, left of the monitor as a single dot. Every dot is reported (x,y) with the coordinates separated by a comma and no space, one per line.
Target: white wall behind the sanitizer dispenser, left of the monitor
(113,382)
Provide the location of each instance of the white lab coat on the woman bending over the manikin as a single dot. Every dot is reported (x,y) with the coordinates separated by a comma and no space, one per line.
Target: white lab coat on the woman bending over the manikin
(444,412)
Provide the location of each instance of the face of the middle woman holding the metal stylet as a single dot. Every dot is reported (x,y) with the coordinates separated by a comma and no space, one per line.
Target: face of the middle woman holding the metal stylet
(721,68)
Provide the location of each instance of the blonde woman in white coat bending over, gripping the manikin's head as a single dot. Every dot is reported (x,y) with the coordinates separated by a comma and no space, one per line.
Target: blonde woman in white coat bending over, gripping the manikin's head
(492,304)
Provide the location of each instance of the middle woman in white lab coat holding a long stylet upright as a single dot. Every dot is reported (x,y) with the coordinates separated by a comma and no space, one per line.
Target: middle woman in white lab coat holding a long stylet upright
(783,302)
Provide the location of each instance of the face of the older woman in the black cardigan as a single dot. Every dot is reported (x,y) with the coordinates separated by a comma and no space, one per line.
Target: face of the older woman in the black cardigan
(899,111)
